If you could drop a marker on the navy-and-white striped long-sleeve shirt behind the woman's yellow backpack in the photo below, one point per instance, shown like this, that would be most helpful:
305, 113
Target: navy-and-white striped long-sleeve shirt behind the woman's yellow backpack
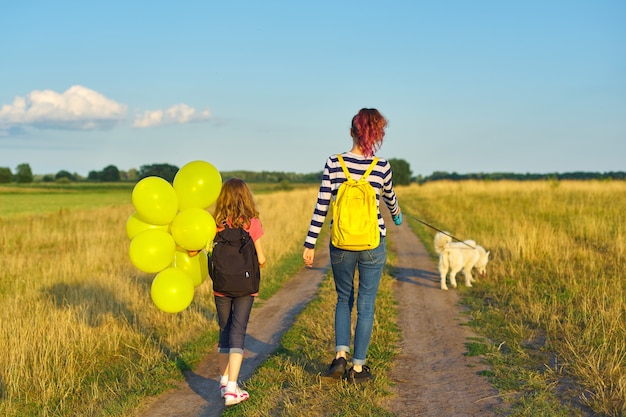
333, 176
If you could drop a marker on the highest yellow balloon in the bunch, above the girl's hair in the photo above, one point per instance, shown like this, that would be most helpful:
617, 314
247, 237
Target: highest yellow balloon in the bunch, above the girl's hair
197, 184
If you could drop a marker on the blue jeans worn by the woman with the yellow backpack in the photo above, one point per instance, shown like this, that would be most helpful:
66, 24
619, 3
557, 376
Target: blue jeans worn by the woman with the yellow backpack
370, 265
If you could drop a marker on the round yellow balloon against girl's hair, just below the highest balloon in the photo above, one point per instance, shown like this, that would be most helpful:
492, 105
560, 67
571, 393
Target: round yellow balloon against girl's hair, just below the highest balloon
193, 228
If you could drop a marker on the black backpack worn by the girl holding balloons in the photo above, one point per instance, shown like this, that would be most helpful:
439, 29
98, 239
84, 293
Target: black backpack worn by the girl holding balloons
233, 263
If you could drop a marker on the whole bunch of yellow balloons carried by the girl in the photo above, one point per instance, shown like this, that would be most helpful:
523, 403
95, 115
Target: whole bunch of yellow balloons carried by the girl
168, 221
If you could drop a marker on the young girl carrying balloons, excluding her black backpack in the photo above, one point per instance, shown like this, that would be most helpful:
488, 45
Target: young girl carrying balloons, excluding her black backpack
235, 205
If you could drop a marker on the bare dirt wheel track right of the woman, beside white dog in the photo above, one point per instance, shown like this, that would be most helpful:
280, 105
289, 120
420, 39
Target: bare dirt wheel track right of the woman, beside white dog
434, 377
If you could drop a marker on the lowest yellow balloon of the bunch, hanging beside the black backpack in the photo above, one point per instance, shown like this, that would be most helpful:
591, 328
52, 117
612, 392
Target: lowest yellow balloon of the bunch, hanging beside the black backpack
172, 290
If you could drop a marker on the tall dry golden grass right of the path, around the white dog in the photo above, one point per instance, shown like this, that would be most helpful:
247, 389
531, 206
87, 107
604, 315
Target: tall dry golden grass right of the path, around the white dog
559, 252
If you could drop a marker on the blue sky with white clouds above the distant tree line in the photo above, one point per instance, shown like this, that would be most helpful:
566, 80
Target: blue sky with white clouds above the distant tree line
467, 86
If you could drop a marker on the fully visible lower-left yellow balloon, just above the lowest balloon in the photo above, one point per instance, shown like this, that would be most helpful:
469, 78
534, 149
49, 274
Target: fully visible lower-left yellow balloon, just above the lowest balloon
152, 250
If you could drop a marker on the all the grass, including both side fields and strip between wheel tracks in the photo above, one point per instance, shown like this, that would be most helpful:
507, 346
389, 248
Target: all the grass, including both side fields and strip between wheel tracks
80, 335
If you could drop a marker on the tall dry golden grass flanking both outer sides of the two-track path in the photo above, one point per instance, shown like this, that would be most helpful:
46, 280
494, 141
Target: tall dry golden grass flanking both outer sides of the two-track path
79, 331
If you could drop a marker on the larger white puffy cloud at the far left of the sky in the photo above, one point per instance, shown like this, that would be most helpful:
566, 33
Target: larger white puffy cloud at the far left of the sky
78, 108
